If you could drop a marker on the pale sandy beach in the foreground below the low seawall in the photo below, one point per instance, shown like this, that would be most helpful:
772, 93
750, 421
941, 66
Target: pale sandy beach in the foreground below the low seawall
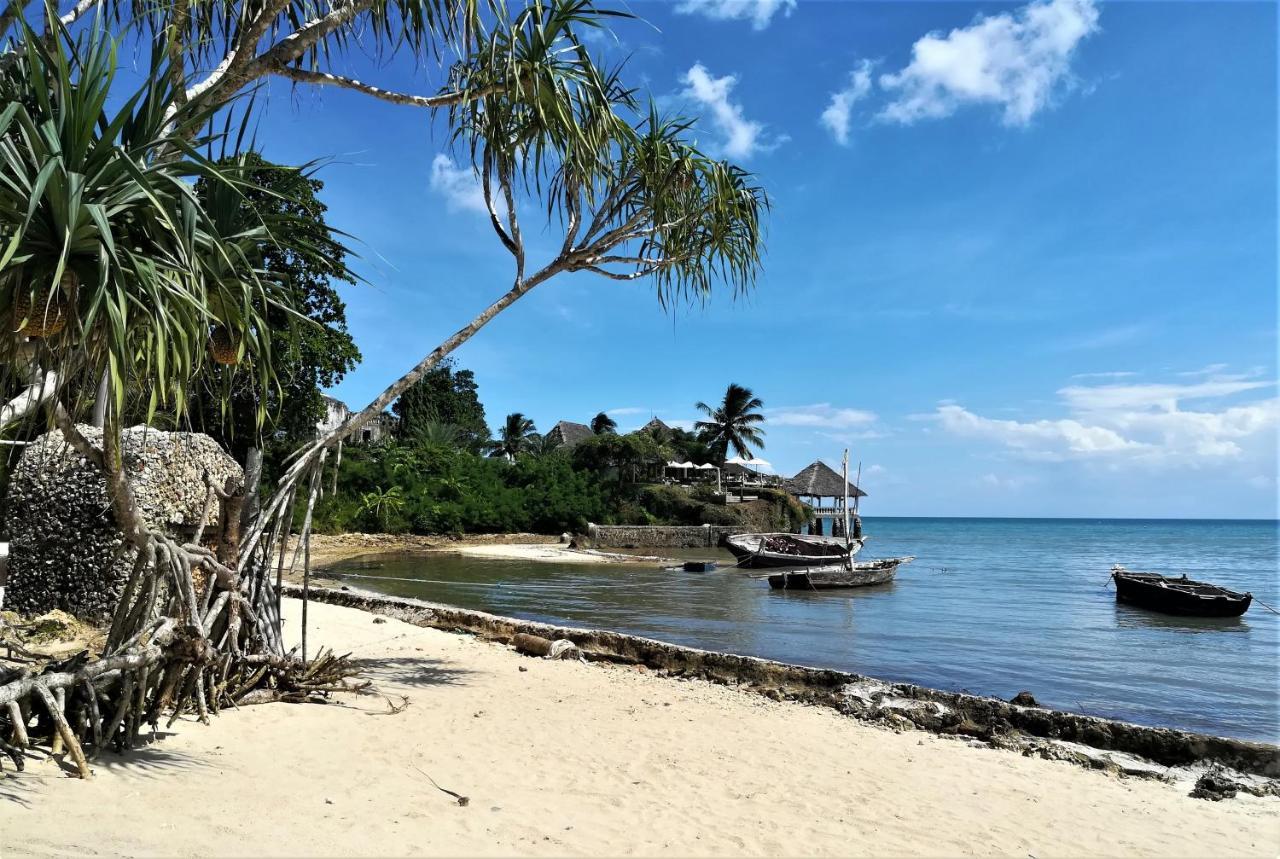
588, 760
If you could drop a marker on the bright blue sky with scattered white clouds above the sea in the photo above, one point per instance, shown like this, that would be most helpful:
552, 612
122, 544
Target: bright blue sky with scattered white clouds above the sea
1021, 259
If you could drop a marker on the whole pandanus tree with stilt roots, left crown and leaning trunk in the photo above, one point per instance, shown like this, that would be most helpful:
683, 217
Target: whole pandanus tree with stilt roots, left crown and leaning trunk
546, 132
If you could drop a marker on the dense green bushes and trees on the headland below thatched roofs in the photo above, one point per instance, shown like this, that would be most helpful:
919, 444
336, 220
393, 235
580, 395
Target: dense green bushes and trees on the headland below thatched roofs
435, 477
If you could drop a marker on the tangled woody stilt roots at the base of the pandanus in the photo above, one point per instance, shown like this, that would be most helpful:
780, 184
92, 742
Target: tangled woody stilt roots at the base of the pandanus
198, 629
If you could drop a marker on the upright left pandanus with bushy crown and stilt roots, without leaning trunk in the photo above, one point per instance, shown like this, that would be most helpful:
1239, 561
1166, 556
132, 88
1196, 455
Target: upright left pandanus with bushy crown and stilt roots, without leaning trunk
117, 276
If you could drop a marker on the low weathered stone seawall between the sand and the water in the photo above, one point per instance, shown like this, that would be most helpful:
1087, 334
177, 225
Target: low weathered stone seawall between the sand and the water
1226, 765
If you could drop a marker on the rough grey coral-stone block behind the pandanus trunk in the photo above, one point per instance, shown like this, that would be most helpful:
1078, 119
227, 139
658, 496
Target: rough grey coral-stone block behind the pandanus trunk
66, 551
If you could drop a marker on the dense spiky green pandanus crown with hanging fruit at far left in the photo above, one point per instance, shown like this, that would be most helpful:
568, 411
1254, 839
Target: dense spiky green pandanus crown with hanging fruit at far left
111, 262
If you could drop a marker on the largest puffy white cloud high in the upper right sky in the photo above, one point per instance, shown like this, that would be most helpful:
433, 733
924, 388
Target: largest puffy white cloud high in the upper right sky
1016, 61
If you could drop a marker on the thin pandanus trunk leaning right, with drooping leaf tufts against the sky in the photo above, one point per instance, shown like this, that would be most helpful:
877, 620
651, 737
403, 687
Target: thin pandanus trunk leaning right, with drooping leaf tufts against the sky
632, 198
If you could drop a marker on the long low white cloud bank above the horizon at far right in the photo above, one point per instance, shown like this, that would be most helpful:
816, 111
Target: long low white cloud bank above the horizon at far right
1149, 424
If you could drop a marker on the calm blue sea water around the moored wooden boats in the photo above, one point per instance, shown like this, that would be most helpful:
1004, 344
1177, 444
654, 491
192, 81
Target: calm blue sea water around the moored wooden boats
990, 606
